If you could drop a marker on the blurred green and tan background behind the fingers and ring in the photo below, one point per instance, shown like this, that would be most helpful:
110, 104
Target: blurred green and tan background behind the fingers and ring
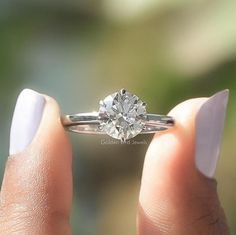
165, 51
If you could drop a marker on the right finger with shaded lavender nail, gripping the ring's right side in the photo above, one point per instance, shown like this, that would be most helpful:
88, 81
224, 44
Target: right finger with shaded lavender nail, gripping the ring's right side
178, 195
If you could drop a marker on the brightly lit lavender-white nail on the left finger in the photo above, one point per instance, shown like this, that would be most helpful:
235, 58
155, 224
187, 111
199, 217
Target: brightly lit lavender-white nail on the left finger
26, 119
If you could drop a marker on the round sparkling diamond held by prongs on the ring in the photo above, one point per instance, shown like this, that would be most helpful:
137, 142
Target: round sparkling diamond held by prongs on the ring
122, 115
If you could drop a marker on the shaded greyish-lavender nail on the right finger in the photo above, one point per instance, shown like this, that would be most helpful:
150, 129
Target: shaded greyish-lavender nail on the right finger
209, 129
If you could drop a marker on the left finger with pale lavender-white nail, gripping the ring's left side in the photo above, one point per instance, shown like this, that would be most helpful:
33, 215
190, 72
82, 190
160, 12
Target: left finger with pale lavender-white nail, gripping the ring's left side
36, 191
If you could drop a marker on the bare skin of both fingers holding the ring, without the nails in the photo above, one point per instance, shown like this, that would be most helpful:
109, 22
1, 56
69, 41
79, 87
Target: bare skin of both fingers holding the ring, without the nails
175, 198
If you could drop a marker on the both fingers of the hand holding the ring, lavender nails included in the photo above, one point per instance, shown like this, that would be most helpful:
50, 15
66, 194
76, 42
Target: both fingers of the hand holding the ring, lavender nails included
178, 194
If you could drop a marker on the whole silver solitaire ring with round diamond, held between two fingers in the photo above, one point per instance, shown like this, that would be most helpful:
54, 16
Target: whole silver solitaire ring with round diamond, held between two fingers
121, 115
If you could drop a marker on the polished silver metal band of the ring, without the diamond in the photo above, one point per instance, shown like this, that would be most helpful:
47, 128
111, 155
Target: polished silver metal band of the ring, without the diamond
89, 123
